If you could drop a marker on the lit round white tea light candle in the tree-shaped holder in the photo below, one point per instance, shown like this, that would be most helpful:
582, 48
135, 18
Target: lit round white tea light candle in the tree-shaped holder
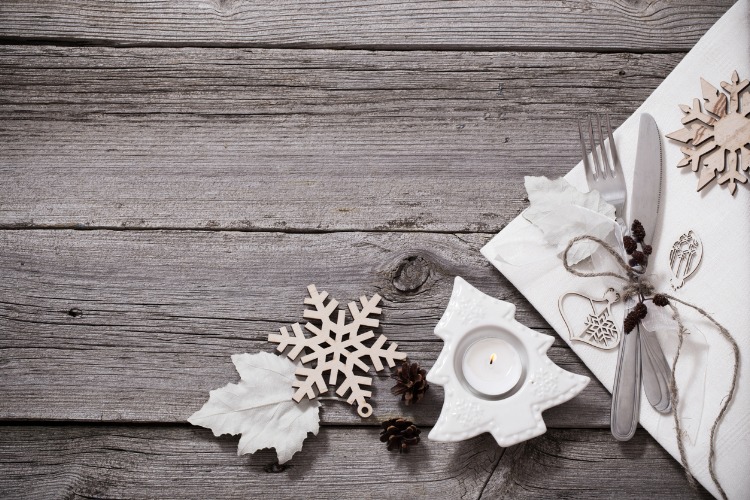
492, 366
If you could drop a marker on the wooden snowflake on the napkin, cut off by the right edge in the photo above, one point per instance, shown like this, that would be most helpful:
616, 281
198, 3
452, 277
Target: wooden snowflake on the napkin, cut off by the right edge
718, 138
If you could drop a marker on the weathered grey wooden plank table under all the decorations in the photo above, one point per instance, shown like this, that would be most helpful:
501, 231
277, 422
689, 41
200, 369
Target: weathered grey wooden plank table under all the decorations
173, 175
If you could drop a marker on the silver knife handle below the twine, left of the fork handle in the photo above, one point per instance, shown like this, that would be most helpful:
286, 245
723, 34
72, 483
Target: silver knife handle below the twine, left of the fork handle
626, 393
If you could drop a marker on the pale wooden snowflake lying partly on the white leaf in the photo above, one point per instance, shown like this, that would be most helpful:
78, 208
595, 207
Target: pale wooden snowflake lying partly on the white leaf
336, 347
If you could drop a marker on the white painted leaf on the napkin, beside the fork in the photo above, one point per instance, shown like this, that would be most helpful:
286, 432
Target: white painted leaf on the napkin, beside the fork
562, 212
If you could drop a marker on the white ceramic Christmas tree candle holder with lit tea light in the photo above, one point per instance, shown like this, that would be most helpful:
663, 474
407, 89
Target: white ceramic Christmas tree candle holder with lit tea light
495, 371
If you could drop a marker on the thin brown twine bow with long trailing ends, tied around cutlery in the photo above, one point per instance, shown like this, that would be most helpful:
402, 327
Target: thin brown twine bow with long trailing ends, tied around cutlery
636, 285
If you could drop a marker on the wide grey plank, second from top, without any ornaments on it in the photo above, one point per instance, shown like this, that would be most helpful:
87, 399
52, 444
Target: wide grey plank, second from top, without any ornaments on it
295, 140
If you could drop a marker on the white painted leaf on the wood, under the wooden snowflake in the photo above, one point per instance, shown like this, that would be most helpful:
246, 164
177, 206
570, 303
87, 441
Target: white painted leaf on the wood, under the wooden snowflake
260, 407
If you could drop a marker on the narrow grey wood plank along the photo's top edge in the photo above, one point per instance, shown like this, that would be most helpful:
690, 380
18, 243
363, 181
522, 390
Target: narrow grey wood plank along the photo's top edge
611, 25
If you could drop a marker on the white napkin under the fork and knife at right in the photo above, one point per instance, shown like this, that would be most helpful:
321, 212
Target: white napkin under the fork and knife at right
721, 284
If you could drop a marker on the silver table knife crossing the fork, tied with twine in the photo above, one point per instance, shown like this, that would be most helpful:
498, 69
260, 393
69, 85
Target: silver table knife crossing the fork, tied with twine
645, 206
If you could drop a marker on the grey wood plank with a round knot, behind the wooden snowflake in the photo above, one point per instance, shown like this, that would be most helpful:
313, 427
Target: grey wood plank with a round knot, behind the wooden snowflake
140, 325
